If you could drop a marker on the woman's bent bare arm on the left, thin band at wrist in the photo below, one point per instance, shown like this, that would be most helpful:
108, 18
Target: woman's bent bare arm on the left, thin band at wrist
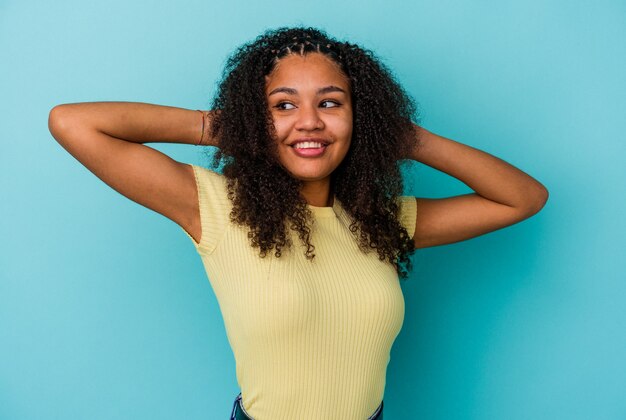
107, 138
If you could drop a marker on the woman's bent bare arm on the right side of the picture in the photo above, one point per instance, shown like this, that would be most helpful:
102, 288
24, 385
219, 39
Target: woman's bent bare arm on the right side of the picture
504, 195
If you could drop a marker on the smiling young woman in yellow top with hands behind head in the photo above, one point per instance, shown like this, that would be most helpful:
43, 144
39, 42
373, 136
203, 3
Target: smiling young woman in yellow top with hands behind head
305, 234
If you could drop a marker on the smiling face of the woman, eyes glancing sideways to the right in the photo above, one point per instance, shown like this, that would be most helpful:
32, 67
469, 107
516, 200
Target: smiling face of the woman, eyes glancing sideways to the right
310, 103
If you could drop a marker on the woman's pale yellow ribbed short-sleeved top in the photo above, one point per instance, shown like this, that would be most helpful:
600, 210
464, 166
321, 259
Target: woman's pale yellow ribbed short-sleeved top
311, 339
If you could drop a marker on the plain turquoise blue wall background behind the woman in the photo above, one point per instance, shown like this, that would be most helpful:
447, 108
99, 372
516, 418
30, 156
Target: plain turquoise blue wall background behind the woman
105, 309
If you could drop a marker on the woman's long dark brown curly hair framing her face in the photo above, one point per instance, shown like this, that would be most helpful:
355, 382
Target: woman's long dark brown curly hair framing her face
265, 197
